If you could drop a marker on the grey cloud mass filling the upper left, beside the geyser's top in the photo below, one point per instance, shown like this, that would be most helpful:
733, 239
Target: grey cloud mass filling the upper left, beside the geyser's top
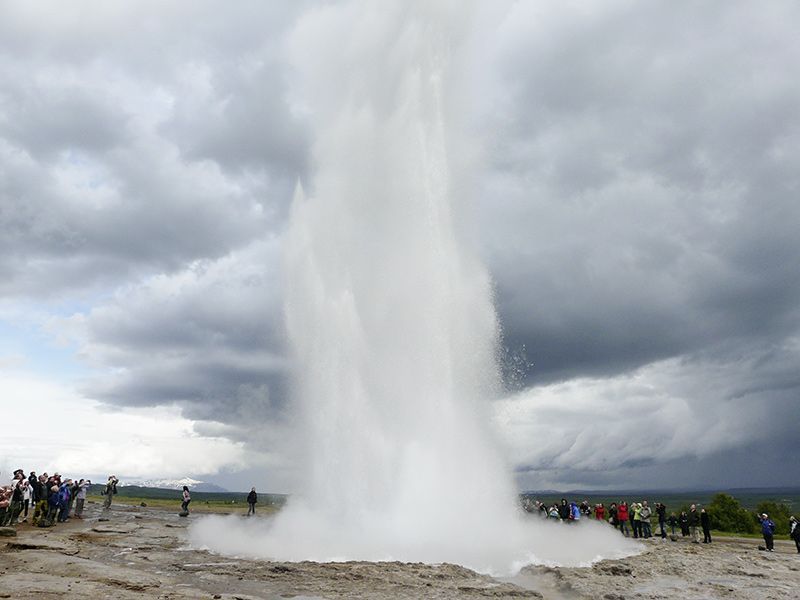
134, 140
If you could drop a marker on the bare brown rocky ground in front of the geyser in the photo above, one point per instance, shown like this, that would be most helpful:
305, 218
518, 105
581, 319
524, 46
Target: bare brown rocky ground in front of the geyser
140, 552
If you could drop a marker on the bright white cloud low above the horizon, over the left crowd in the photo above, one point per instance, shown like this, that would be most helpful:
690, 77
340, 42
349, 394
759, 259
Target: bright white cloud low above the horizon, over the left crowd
55, 429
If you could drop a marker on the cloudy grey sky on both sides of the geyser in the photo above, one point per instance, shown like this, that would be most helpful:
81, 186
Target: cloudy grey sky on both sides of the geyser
637, 201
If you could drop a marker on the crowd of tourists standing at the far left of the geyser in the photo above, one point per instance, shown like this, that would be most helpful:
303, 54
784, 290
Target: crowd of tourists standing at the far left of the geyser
46, 499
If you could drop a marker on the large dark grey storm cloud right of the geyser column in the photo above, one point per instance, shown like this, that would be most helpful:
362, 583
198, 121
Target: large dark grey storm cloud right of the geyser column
643, 171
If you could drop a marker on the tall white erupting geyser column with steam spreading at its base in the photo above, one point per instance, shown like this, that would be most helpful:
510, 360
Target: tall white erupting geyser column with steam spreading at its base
391, 319
